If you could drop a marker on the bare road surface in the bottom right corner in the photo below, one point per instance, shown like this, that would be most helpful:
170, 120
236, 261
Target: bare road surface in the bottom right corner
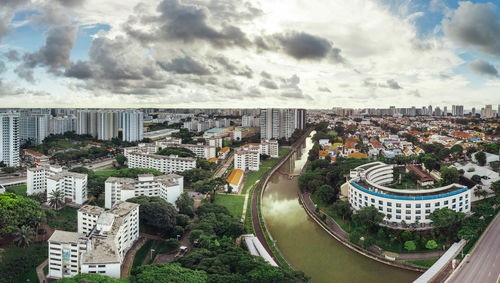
483, 265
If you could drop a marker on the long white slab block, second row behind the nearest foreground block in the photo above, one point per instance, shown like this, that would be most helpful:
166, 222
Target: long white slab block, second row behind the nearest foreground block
138, 157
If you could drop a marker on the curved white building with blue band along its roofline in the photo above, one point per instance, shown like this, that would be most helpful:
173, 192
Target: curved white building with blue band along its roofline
367, 188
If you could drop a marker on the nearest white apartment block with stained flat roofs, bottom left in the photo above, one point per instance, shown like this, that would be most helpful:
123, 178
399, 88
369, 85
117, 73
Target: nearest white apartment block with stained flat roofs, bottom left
99, 246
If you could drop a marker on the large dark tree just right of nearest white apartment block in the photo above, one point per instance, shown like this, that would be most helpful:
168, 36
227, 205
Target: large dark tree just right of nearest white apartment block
156, 212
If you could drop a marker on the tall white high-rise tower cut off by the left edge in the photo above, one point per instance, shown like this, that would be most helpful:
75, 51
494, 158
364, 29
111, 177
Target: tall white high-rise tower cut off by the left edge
9, 138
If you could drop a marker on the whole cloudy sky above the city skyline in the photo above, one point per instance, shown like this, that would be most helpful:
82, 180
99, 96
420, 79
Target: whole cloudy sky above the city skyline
244, 54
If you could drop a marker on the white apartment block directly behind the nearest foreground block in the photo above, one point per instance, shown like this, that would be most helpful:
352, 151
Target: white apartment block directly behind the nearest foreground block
168, 187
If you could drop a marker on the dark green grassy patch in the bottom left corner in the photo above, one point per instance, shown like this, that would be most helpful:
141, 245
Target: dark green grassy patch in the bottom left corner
15, 267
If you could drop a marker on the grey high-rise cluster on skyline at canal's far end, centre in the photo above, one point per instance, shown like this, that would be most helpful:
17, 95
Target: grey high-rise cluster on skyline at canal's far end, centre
281, 123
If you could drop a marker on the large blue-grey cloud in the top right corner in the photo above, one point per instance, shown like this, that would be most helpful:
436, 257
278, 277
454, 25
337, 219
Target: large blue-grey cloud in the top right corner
475, 25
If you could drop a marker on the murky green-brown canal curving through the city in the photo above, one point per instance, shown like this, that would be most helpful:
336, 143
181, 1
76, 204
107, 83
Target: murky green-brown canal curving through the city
306, 245
